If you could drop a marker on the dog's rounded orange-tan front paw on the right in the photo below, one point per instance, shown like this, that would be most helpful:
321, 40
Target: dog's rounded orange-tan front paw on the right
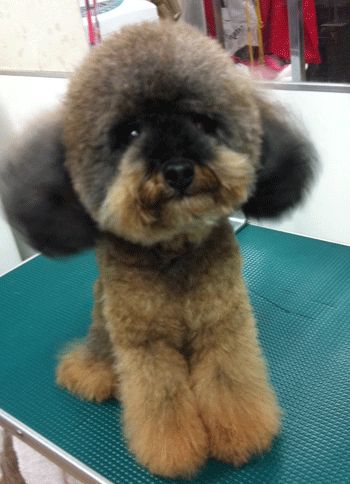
238, 432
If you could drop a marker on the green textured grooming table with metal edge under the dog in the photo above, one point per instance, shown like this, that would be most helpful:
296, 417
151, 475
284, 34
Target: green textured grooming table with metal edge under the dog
300, 291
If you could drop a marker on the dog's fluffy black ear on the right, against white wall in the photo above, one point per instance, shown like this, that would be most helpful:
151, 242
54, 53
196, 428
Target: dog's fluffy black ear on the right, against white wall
287, 165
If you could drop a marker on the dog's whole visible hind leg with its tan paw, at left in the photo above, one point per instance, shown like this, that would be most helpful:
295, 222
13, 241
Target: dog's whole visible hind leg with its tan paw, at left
86, 368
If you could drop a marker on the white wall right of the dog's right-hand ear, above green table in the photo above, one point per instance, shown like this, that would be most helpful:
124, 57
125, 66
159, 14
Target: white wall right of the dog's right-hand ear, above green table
325, 215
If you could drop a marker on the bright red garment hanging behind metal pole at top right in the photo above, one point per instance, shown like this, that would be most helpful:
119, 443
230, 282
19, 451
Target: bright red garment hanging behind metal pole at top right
274, 15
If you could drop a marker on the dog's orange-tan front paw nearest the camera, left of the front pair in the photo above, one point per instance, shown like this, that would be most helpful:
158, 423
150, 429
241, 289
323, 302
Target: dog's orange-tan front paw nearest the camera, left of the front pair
170, 447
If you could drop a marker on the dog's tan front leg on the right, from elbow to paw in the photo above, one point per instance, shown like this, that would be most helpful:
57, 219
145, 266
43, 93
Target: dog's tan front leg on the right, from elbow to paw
236, 402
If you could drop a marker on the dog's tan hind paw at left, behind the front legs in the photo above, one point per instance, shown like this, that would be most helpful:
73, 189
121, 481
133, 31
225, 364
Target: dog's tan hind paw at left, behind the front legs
85, 376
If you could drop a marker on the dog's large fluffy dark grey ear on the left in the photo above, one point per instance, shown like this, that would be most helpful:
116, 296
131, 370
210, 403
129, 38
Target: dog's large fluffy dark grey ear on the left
38, 195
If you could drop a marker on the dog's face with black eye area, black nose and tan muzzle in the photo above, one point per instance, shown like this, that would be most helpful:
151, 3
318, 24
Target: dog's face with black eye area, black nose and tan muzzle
170, 174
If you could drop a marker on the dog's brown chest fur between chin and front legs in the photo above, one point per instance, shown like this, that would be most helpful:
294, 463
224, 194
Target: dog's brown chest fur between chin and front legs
150, 293
